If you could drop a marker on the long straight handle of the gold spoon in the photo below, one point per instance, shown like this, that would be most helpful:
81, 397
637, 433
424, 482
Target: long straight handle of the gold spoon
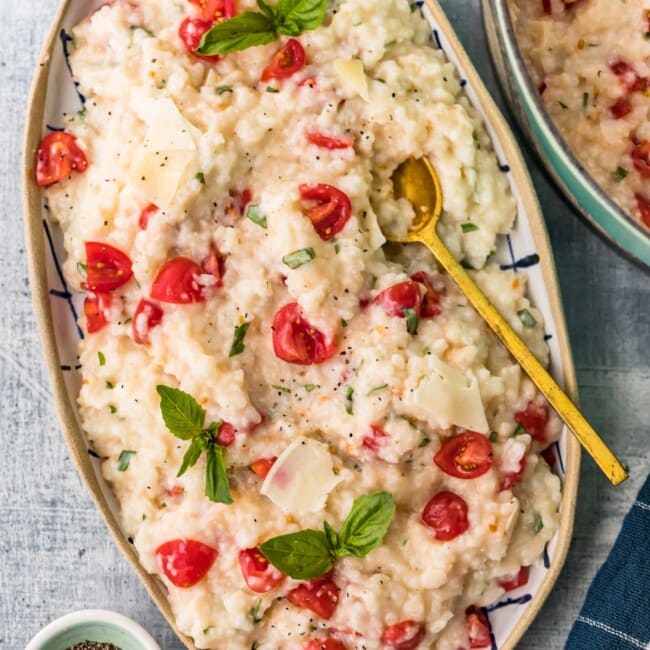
560, 401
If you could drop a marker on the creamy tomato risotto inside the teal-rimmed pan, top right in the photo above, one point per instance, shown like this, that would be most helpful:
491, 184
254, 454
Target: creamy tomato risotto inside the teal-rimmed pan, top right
591, 62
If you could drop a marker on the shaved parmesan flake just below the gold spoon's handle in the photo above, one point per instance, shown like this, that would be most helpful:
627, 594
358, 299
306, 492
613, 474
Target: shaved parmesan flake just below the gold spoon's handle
448, 397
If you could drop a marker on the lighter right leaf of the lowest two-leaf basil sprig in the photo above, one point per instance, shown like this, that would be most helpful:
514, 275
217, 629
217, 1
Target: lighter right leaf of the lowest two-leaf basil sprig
366, 525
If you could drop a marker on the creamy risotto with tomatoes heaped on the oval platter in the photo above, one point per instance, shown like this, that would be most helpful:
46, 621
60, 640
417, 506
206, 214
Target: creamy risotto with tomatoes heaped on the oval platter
225, 218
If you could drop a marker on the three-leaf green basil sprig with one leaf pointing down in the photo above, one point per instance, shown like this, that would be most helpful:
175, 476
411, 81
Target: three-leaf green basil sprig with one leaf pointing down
185, 418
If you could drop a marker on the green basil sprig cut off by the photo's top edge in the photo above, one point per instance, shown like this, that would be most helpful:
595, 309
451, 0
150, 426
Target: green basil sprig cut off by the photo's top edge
290, 17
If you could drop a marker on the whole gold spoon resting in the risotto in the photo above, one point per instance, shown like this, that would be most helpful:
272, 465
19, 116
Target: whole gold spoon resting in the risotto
417, 181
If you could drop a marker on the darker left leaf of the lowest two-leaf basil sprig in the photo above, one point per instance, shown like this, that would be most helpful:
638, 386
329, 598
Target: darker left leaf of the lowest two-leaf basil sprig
303, 555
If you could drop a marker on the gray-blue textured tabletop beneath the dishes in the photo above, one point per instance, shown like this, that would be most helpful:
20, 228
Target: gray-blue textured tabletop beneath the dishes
56, 553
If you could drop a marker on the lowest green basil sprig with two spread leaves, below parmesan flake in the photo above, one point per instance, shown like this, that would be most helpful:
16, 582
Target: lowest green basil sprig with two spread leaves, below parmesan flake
310, 553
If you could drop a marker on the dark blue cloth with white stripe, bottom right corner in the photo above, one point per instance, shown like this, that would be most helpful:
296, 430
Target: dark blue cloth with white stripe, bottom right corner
616, 611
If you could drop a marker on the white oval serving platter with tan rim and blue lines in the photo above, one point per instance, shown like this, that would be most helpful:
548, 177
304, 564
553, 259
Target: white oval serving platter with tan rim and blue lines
525, 250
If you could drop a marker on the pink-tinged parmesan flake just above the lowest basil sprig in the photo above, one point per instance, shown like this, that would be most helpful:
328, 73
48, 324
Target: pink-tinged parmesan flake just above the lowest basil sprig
301, 477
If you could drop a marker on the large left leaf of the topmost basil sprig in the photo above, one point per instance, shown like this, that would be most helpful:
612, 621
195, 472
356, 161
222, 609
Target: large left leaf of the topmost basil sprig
239, 33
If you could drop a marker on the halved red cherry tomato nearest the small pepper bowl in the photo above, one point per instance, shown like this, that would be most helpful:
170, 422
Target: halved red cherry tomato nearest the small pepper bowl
185, 561
